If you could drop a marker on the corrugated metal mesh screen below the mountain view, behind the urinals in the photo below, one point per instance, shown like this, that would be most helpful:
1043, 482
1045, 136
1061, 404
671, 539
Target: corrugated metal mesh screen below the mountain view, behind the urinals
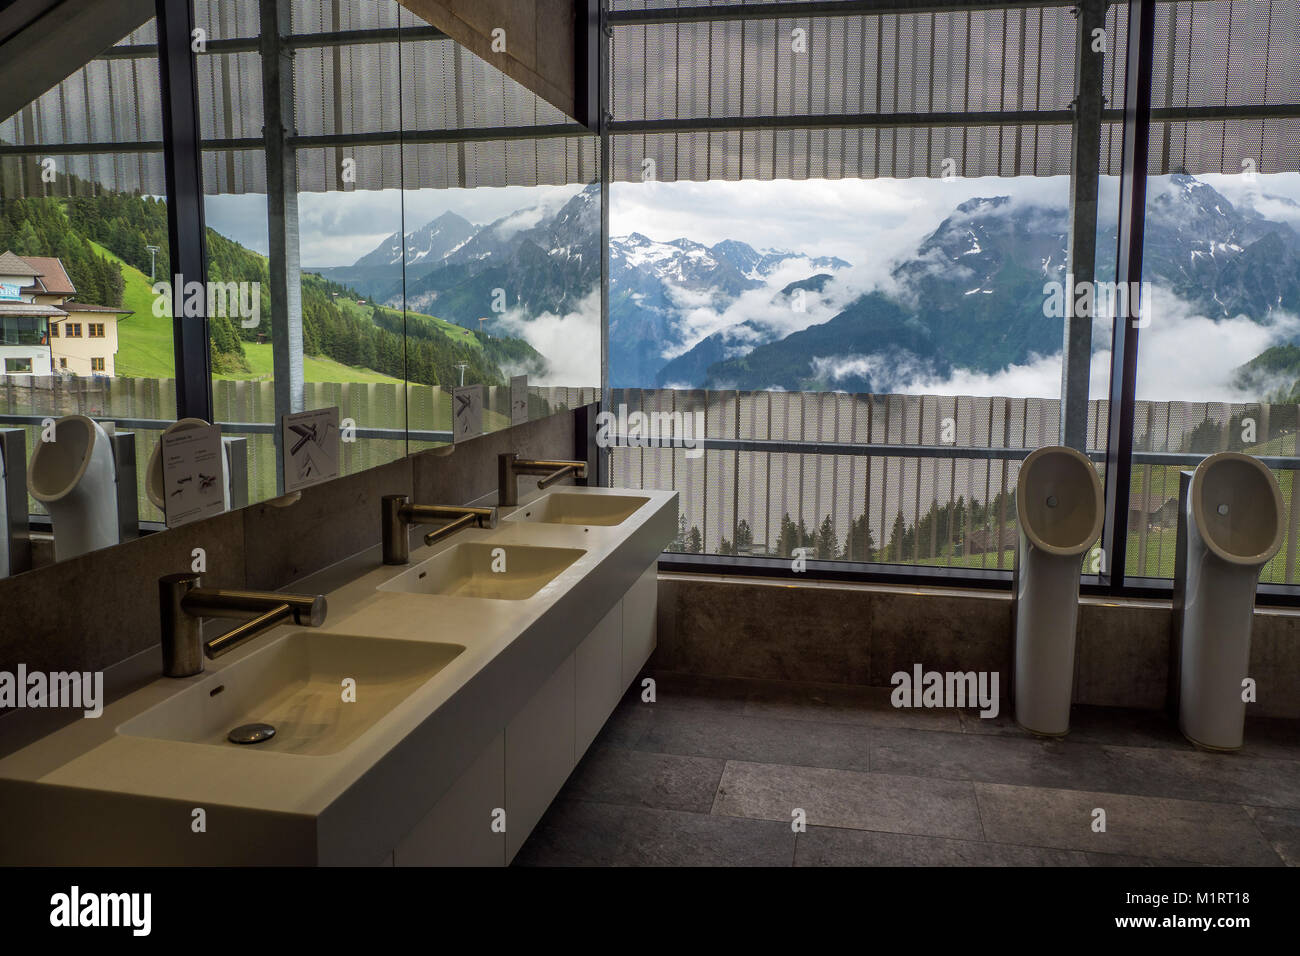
938, 487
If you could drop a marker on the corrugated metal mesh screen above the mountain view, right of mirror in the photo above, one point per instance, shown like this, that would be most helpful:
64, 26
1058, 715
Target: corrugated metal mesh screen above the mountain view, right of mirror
876, 93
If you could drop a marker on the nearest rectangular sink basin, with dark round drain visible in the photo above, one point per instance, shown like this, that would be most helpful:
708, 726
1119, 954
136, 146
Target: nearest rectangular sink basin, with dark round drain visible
297, 686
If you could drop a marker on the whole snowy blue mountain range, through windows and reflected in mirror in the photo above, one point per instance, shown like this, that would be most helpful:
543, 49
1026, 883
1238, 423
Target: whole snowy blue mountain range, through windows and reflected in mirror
969, 297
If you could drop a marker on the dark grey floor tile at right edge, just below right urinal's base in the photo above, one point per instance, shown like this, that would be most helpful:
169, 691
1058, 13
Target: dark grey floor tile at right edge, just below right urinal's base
1233, 778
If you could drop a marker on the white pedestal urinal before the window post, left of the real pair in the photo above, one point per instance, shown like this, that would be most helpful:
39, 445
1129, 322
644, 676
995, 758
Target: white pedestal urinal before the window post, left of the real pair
1060, 511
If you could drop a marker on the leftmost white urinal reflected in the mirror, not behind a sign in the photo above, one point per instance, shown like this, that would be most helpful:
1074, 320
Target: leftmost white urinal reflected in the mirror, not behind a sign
76, 479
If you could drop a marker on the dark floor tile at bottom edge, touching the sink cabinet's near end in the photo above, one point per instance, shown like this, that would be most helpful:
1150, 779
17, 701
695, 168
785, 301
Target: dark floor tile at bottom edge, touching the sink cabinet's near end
590, 834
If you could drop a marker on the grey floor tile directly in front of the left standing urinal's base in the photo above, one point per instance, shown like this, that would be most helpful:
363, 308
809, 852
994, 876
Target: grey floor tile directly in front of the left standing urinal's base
1025, 762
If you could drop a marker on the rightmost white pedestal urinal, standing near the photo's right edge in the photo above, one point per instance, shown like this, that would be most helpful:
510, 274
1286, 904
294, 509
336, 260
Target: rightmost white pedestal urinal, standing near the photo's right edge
1233, 526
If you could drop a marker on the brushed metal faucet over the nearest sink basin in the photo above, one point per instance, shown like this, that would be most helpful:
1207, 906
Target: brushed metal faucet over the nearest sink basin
184, 604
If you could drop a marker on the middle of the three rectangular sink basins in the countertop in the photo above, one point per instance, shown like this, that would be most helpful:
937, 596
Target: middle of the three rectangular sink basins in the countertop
505, 573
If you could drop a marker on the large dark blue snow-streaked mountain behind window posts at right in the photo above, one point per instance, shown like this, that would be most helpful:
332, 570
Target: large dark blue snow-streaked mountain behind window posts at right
972, 297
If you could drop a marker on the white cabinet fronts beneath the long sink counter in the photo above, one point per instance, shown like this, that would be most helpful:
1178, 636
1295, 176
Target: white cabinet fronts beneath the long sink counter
527, 765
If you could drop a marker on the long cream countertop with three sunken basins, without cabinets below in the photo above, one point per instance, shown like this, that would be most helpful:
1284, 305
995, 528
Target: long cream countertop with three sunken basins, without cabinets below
439, 672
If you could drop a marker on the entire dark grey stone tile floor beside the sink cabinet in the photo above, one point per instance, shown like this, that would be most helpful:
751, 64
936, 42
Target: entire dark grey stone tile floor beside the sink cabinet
712, 772
